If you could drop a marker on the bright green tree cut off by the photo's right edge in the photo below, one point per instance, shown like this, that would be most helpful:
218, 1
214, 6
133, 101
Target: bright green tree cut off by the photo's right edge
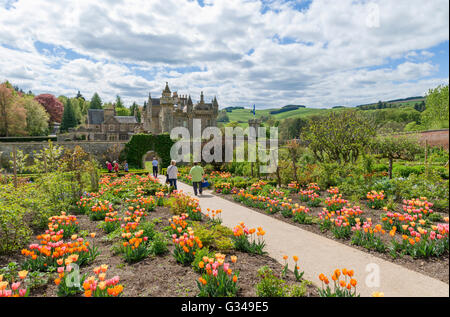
436, 114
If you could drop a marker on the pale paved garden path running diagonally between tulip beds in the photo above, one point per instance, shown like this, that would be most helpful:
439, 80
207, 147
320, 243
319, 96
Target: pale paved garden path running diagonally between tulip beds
318, 254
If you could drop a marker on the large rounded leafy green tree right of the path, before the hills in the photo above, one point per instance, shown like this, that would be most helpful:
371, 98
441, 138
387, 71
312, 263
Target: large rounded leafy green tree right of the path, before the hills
339, 136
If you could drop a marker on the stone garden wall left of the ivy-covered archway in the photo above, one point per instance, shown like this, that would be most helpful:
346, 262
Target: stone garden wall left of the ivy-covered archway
96, 148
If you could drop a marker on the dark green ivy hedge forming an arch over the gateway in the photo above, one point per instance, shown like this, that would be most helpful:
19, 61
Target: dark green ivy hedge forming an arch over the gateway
142, 143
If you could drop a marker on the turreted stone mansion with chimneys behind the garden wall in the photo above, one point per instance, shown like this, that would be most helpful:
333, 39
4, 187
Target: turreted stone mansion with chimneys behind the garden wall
159, 115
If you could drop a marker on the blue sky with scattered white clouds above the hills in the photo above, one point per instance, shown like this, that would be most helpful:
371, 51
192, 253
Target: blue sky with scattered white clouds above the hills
270, 53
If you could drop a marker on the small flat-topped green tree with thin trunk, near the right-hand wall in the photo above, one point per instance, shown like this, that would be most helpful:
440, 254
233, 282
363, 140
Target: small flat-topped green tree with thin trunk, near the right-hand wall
396, 147
